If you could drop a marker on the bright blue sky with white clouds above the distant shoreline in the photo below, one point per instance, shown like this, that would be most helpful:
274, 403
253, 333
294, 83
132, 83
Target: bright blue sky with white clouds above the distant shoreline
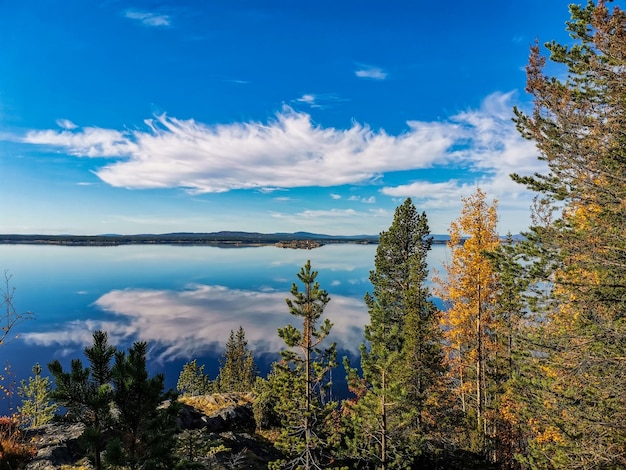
322, 116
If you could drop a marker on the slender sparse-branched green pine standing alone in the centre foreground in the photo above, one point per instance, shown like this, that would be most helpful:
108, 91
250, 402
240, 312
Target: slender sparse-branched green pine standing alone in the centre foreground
302, 389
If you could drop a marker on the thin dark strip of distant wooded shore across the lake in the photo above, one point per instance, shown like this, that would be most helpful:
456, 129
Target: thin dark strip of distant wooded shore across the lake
224, 239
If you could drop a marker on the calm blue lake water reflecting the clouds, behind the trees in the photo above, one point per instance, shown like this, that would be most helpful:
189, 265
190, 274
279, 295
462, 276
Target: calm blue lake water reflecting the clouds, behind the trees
182, 300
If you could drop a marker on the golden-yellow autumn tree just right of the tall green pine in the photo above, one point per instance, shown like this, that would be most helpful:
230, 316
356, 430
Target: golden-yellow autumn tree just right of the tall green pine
470, 327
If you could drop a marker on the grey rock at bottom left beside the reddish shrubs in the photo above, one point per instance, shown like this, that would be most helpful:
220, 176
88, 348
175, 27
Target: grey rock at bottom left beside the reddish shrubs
57, 445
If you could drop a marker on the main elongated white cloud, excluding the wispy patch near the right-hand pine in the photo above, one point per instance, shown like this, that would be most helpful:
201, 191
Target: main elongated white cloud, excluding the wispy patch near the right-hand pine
287, 152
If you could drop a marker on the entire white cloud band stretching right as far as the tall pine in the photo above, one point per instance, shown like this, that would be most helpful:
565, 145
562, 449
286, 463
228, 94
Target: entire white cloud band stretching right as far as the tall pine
290, 152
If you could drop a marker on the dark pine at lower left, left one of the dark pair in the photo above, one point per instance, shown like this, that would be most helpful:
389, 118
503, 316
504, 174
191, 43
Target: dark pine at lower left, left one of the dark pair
86, 392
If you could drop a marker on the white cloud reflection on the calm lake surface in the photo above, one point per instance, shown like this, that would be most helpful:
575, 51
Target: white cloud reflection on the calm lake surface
181, 321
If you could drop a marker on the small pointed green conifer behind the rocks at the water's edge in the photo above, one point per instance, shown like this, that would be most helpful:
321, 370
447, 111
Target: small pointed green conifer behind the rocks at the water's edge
237, 368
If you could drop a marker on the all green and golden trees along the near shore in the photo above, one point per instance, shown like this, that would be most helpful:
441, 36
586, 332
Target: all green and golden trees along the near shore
523, 368
